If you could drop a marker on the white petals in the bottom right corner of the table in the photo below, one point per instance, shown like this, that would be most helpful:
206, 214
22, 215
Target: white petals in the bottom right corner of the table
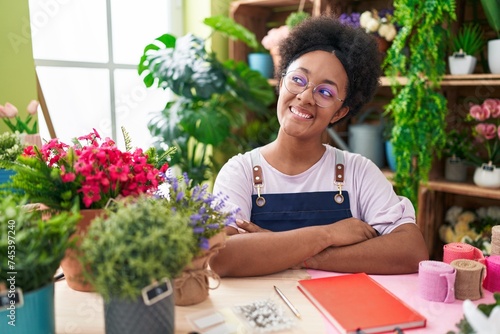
478, 320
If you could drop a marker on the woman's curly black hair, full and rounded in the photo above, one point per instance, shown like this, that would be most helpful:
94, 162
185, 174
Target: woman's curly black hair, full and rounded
357, 51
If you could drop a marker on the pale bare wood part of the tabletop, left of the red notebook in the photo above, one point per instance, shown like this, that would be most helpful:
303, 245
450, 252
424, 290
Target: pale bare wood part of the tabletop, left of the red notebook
82, 312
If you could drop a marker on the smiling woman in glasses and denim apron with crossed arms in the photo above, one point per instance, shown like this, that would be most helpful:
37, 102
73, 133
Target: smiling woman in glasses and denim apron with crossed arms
302, 203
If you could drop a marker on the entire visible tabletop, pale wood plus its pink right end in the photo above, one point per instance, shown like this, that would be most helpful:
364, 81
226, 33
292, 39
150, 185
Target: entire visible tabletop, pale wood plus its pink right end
82, 312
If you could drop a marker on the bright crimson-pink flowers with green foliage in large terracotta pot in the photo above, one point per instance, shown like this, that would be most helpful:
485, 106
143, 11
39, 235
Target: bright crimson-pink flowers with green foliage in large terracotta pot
87, 175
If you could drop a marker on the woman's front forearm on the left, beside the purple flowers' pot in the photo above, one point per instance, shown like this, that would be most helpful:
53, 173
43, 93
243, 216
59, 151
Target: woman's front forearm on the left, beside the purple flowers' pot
254, 254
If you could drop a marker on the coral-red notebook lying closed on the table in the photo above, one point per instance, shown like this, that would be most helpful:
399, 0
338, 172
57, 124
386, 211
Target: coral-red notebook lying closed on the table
356, 302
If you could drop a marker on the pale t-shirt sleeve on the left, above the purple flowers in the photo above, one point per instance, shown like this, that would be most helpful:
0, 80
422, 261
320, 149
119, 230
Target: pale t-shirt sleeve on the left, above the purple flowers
234, 182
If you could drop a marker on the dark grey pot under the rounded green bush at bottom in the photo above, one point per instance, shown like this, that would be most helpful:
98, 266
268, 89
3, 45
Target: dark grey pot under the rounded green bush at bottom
130, 317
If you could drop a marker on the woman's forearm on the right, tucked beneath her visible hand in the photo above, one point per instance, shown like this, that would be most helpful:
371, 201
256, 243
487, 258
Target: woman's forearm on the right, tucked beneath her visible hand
398, 252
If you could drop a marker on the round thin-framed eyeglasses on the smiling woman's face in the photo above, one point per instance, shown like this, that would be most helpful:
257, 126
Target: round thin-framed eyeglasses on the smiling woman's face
324, 95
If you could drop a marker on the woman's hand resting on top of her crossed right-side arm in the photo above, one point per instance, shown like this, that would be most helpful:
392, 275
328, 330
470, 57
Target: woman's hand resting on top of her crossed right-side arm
351, 231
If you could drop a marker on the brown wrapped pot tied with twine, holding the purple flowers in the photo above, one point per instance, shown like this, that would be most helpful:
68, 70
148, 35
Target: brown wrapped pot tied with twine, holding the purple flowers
192, 286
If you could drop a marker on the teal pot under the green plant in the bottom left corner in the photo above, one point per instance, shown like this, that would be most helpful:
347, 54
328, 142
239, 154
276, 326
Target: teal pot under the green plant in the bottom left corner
36, 316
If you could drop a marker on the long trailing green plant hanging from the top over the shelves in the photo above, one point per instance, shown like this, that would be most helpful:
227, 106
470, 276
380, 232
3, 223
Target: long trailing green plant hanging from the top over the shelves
418, 108
